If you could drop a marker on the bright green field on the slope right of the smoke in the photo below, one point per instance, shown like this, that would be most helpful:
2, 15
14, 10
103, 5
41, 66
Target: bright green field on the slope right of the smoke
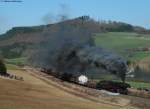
120, 42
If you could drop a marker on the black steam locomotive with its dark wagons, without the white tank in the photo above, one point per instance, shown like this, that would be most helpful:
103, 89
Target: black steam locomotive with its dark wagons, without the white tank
112, 86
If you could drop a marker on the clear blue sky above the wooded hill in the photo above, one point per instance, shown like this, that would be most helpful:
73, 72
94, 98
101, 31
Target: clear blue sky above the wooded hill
32, 12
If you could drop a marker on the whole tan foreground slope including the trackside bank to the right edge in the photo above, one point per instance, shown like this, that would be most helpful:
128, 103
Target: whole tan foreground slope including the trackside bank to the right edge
37, 91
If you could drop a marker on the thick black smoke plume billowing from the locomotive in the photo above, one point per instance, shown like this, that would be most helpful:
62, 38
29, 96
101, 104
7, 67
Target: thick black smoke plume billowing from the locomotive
71, 49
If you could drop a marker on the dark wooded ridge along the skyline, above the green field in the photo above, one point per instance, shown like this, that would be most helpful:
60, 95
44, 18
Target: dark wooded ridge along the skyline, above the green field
21, 40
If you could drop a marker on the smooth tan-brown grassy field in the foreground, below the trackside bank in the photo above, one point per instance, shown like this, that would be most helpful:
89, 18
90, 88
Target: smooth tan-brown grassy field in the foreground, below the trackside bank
33, 93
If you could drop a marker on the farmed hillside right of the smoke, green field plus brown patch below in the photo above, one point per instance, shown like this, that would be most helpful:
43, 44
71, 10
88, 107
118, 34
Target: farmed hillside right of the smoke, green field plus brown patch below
132, 46
